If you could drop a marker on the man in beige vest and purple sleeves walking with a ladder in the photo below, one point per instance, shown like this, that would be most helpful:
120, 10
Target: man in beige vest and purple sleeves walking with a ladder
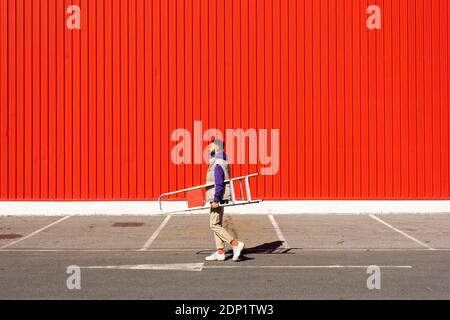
219, 193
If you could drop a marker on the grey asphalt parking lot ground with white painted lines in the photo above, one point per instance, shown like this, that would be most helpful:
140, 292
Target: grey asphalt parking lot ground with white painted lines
286, 257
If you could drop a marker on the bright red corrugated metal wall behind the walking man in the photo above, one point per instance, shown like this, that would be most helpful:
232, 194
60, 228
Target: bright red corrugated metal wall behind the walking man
87, 114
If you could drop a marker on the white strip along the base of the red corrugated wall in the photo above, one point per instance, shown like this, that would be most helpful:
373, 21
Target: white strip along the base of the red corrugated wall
54, 208
